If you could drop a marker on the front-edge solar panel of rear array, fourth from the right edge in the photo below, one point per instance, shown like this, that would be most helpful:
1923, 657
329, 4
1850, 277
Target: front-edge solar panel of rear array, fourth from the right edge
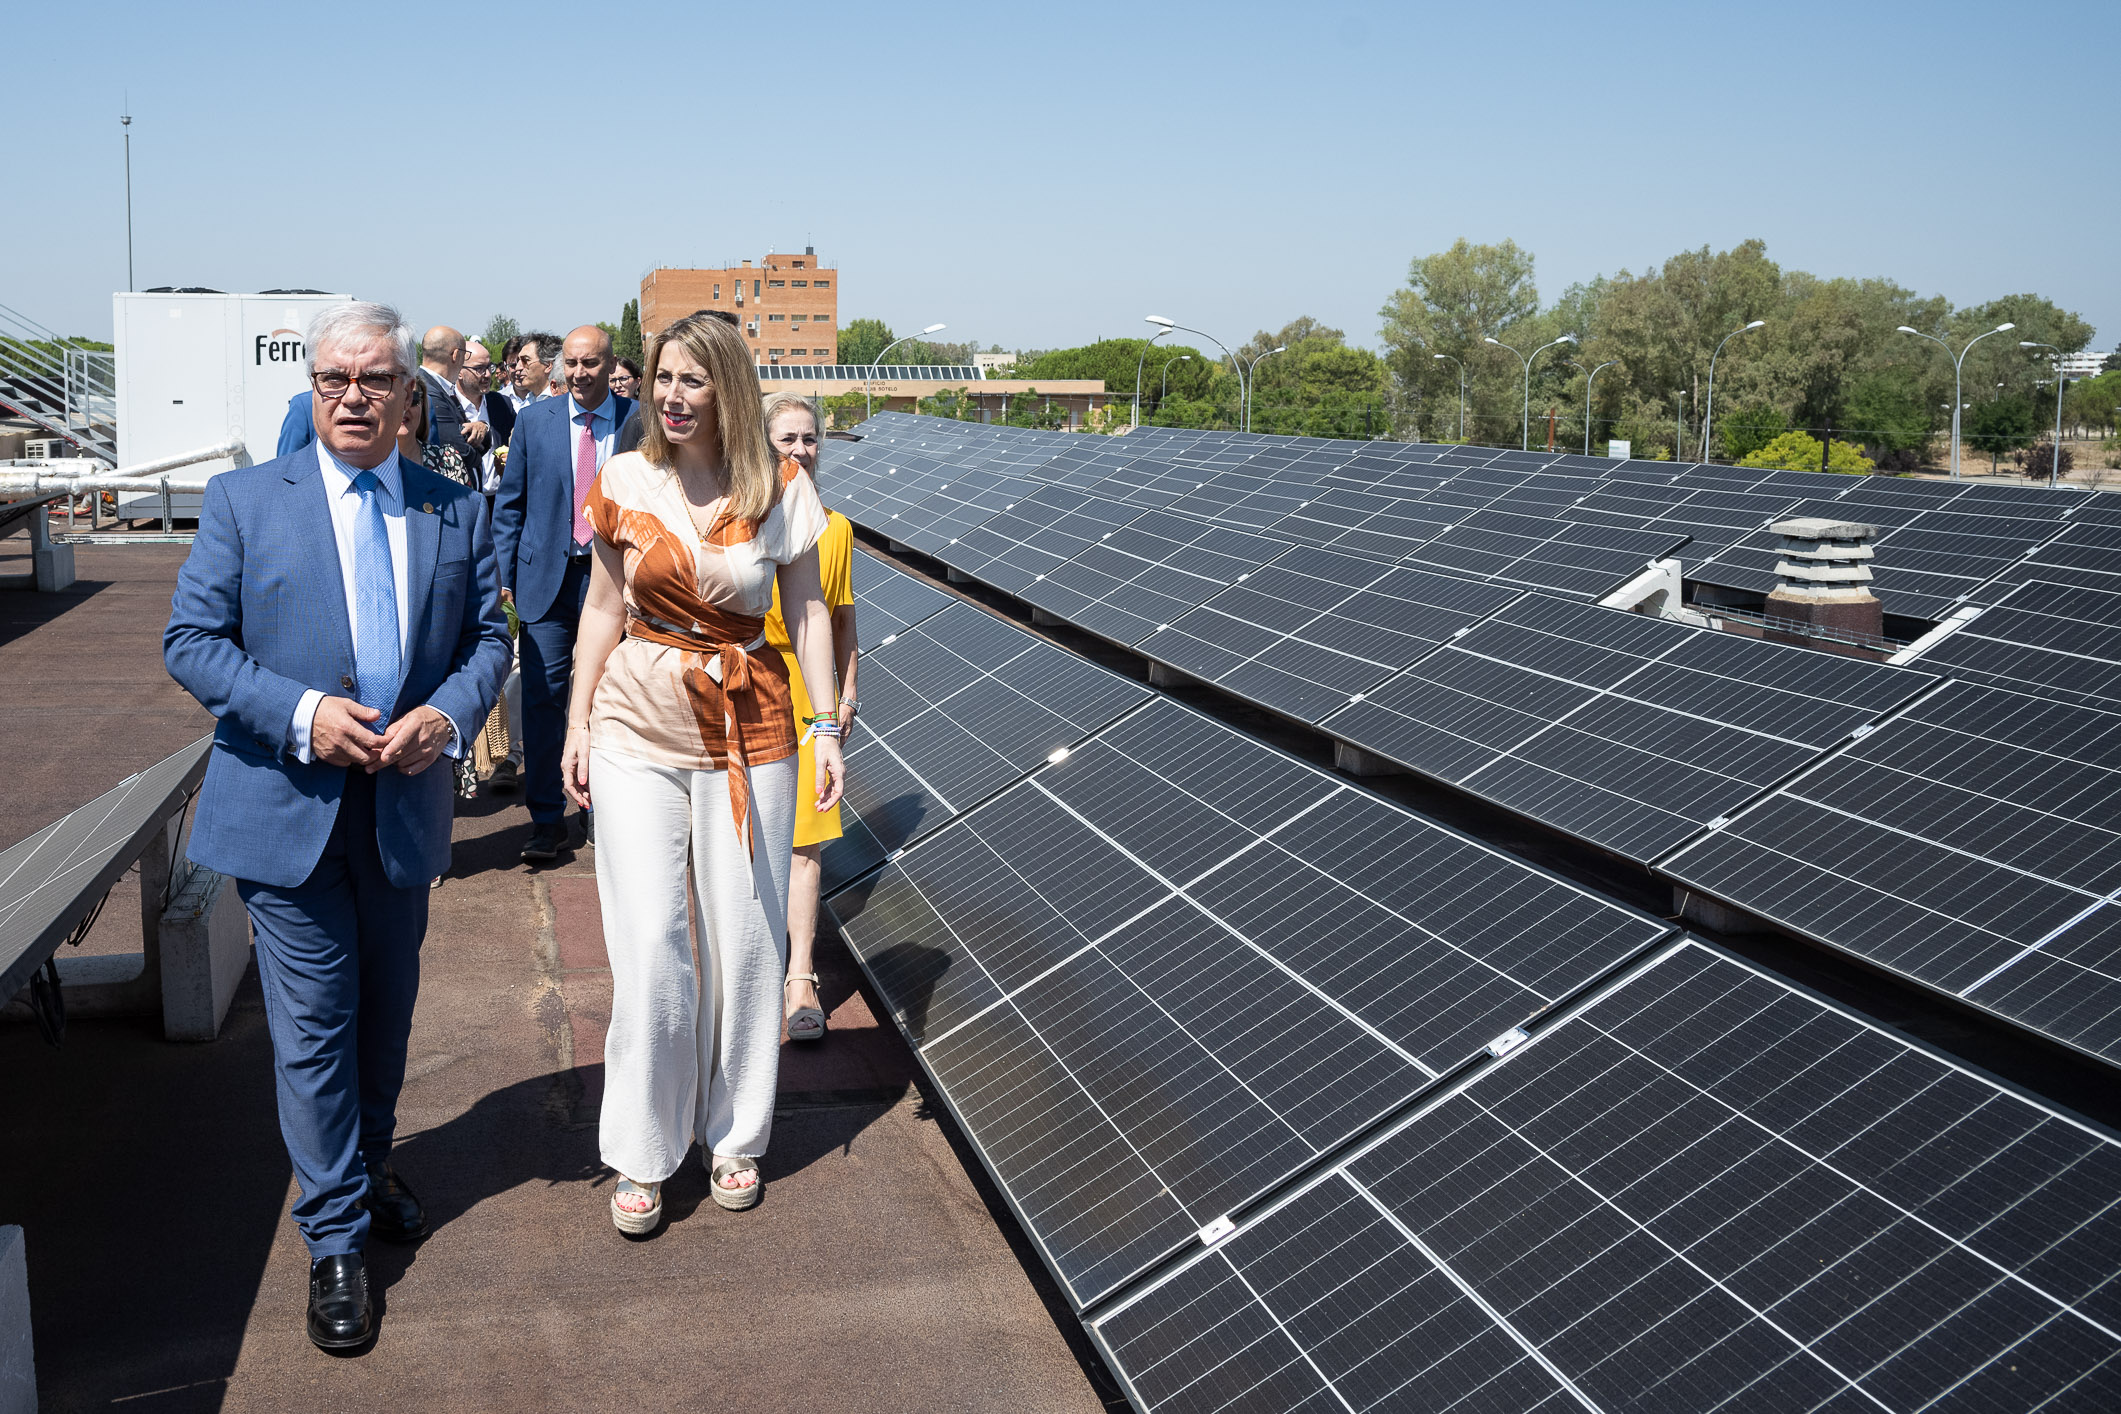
1149, 571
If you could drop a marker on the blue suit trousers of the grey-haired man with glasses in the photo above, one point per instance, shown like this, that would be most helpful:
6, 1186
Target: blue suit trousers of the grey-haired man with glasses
340, 961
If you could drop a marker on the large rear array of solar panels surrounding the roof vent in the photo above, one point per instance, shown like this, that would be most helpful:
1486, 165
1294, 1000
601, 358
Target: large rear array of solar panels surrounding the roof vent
1329, 584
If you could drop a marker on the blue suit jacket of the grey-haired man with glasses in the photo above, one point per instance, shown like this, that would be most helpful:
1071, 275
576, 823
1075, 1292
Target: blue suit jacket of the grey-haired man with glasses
260, 616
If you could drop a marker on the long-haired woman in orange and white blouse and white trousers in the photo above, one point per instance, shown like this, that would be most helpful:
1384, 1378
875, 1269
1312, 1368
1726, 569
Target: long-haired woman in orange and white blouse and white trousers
684, 737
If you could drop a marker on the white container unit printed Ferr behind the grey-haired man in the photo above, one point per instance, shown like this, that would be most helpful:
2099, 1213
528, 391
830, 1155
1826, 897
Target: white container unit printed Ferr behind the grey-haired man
196, 370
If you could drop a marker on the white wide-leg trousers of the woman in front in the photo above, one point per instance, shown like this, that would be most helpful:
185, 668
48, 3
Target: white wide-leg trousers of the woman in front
693, 1053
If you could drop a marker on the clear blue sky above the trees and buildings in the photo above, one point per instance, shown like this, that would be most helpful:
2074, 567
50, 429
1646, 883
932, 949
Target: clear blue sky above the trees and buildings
1049, 175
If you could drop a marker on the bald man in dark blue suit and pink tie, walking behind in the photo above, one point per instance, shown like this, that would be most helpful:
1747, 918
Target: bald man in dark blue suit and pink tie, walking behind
544, 548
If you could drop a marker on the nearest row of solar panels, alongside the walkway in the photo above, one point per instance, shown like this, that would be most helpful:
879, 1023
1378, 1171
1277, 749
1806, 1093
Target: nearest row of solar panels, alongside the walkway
1316, 1106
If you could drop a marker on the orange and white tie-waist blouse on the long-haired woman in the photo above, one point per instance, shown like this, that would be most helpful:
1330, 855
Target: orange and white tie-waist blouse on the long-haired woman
695, 677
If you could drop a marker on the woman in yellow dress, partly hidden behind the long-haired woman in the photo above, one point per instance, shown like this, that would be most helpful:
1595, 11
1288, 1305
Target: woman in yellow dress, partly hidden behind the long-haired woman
794, 434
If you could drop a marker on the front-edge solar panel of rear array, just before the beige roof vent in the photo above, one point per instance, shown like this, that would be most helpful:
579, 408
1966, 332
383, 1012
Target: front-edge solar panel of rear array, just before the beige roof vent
1624, 730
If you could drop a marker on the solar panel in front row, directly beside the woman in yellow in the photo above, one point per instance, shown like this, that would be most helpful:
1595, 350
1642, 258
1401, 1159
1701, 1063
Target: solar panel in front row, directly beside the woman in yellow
951, 713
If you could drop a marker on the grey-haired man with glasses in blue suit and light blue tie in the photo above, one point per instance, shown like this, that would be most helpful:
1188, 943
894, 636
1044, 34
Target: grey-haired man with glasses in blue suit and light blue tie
340, 620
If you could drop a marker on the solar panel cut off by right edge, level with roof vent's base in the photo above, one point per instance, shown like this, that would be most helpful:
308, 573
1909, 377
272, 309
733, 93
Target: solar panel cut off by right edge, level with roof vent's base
2061, 639
